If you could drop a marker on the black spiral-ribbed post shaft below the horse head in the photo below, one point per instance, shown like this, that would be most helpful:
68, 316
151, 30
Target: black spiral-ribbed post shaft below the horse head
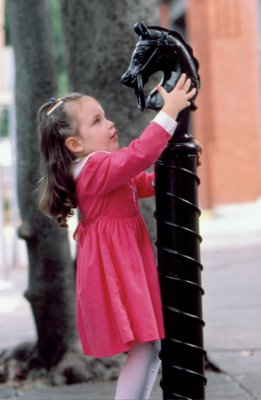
178, 247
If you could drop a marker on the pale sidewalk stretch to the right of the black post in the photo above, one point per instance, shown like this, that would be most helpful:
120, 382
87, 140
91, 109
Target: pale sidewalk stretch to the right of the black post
231, 254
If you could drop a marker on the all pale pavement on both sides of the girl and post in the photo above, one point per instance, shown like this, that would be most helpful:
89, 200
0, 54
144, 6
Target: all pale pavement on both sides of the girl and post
231, 254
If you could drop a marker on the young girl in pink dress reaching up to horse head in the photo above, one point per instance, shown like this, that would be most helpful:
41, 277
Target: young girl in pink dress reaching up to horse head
117, 289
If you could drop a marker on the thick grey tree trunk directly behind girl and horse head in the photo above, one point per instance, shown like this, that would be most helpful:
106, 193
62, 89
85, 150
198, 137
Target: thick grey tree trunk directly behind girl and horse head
99, 41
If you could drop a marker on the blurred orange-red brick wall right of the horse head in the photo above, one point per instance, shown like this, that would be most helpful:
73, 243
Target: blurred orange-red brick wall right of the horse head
224, 37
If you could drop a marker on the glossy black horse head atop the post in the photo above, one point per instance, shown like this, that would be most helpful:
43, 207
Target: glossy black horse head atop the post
159, 49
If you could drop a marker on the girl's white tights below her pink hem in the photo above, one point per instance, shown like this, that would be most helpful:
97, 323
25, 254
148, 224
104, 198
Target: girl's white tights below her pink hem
139, 372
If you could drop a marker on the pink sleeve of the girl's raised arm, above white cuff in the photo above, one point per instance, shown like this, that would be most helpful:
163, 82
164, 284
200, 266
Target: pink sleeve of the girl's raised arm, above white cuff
104, 171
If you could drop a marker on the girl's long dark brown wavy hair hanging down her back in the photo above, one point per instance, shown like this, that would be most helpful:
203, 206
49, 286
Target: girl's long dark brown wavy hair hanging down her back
56, 186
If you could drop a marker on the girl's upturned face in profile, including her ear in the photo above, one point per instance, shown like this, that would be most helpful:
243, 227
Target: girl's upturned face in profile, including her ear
95, 131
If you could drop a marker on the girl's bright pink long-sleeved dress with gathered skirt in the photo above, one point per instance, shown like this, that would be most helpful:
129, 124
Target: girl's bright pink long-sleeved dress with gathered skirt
118, 299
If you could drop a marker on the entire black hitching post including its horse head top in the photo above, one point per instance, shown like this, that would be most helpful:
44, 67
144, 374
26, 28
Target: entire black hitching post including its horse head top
177, 214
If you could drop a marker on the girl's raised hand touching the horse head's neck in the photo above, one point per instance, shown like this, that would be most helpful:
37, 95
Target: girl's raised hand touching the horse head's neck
179, 98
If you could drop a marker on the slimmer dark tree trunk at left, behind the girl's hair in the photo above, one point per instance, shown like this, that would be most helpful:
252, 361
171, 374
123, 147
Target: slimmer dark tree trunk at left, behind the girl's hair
51, 273
